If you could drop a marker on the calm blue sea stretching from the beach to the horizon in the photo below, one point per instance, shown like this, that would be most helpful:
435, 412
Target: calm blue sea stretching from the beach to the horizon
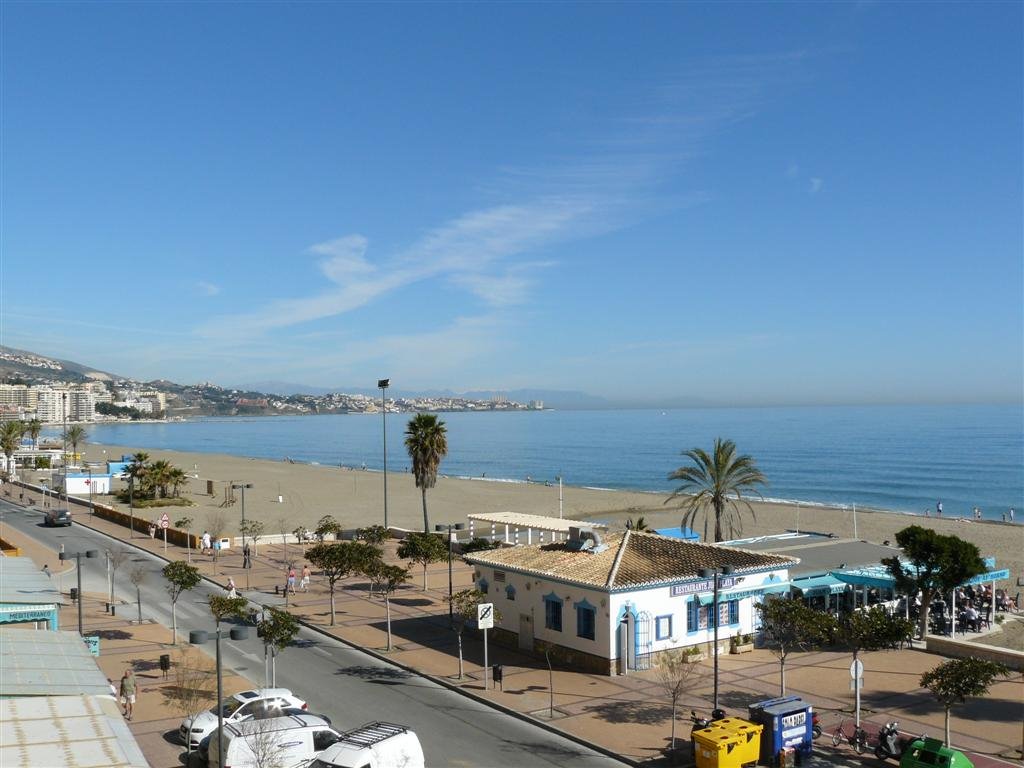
899, 458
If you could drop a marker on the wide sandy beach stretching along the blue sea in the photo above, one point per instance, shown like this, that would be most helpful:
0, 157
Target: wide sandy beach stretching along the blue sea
356, 497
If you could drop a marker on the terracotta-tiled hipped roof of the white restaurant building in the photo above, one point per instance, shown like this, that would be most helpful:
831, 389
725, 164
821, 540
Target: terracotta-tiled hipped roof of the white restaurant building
632, 560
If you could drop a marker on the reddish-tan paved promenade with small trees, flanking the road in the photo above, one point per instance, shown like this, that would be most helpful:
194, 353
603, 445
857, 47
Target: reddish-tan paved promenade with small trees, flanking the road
629, 716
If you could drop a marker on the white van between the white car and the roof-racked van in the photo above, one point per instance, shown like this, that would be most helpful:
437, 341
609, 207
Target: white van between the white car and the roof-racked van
286, 742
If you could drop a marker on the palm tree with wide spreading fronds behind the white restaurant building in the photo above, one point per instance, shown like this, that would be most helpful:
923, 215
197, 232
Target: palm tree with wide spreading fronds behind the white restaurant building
716, 486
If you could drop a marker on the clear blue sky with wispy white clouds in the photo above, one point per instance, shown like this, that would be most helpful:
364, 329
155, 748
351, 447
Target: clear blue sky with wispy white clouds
731, 203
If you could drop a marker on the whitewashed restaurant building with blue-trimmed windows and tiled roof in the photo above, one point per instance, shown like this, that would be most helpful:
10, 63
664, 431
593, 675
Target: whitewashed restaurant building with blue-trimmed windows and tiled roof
612, 603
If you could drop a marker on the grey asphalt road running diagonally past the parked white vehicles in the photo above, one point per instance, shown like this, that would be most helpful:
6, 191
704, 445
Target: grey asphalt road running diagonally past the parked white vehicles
350, 687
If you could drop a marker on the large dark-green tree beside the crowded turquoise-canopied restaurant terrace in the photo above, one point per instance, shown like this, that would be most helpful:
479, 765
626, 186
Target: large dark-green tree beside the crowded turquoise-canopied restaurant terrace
937, 565
